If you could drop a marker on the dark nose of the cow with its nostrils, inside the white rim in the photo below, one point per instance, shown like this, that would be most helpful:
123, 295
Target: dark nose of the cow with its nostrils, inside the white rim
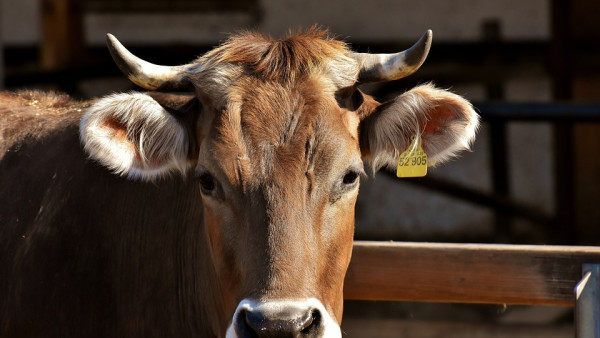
290, 321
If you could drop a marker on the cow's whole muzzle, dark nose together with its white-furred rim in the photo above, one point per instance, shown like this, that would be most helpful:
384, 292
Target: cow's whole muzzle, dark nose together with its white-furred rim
282, 318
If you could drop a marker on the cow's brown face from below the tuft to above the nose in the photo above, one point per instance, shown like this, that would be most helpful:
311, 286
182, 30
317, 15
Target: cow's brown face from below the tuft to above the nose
279, 193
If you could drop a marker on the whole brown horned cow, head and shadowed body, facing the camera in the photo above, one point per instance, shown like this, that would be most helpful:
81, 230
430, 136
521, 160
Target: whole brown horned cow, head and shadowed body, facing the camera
217, 203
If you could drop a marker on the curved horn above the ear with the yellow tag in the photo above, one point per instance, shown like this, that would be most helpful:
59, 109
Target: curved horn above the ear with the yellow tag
387, 67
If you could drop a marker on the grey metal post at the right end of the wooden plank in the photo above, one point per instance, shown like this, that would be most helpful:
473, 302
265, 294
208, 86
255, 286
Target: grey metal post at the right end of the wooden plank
587, 303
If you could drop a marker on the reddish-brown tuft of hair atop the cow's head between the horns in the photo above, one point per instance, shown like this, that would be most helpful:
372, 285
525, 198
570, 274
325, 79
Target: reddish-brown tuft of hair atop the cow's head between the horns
299, 53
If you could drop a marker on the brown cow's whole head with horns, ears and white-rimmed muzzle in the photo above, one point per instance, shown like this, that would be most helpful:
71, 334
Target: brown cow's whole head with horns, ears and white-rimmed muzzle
277, 135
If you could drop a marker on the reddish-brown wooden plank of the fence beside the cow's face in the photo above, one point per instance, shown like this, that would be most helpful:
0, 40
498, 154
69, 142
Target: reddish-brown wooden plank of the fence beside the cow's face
466, 273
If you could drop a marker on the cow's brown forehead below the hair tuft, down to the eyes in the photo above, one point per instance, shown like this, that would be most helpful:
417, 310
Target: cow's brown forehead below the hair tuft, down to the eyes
267, 129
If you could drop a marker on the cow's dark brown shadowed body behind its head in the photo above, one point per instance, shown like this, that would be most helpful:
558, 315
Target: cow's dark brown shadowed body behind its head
84, 252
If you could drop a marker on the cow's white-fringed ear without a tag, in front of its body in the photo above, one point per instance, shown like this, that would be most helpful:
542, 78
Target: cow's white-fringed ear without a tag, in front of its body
140, 135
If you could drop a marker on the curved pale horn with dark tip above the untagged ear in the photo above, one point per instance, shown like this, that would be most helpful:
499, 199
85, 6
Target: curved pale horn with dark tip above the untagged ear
145, 74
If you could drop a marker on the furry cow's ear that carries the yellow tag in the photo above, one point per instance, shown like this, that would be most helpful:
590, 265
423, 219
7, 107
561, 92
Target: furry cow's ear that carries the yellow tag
445, 122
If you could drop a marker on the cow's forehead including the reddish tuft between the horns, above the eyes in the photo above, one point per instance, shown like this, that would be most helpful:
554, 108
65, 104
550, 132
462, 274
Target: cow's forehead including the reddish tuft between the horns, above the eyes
274, 103
